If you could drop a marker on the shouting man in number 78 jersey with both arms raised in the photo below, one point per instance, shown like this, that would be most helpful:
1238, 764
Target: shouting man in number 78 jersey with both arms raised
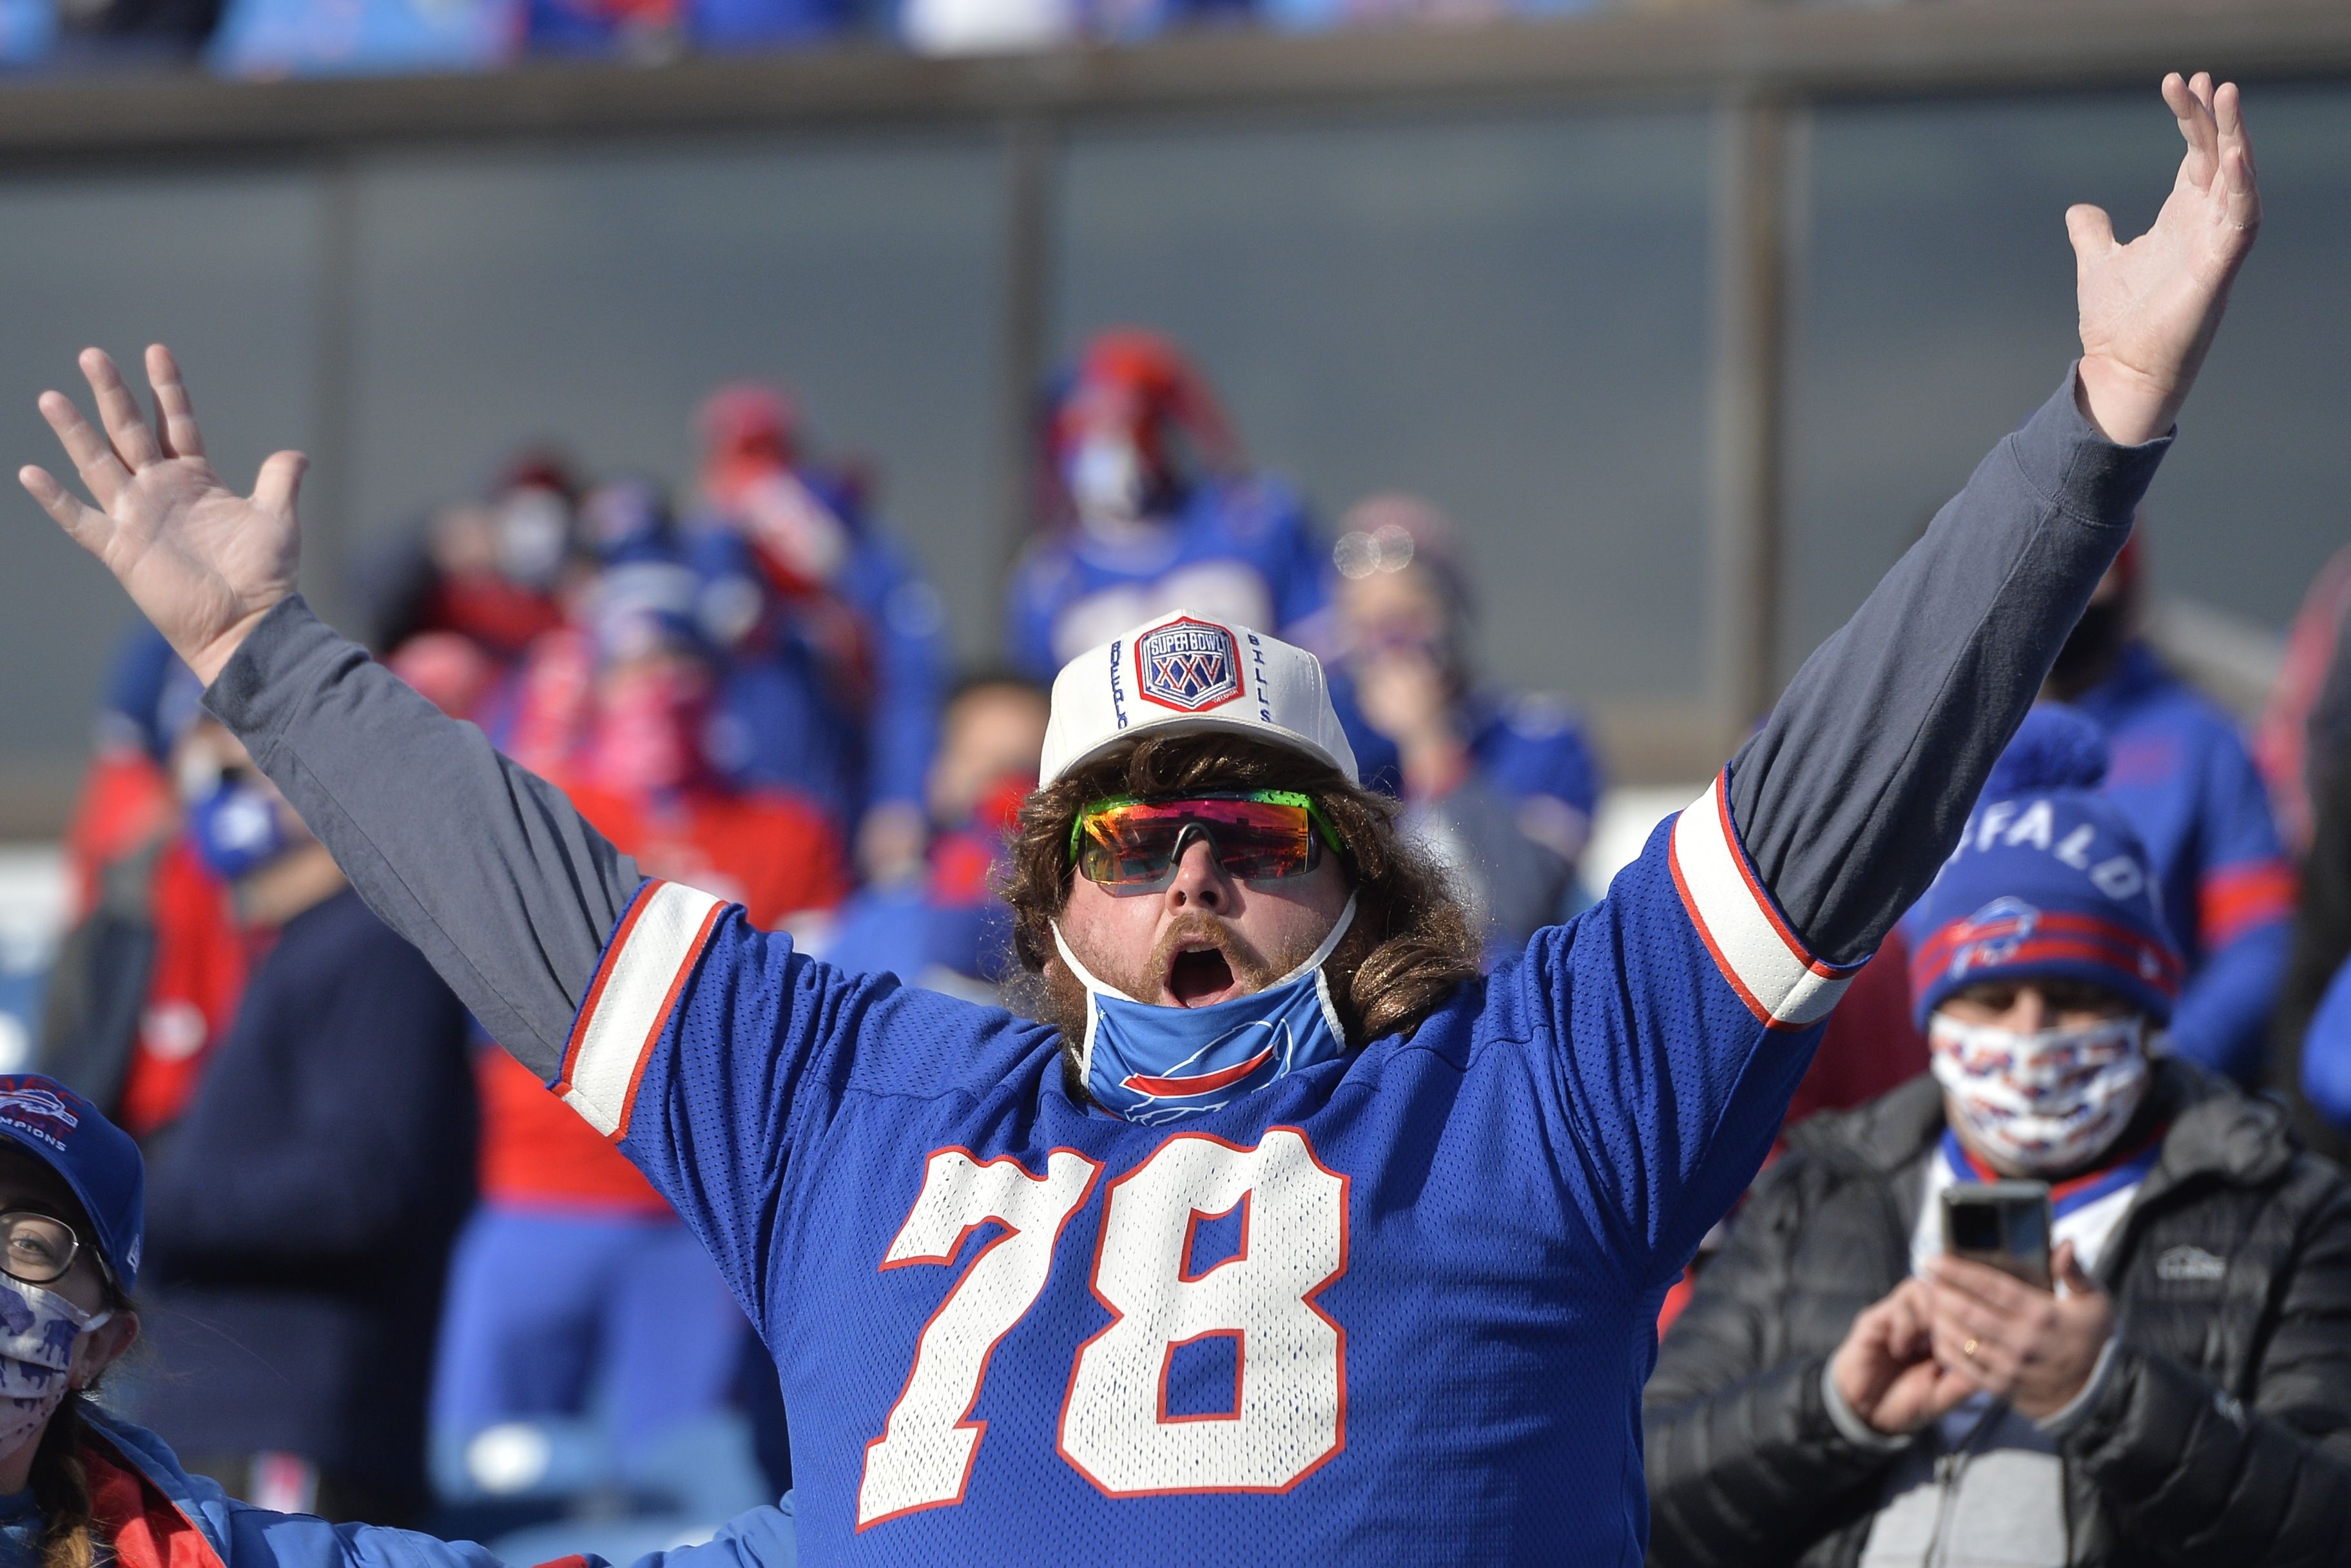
1285, 1235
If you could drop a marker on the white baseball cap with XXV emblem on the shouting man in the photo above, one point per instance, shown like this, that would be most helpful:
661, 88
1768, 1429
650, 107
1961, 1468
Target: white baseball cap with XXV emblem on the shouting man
1184, 676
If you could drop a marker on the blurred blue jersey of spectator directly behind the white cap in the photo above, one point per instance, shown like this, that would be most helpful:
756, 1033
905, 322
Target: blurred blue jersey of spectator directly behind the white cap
1238, 551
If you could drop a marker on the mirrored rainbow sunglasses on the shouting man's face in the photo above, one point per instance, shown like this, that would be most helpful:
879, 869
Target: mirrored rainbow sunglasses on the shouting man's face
1259, 836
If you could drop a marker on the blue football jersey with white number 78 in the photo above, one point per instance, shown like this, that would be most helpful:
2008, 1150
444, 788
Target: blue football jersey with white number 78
1395, 1308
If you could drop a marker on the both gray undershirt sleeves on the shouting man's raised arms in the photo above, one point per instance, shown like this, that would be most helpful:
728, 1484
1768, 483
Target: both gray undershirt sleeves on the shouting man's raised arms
1847, 800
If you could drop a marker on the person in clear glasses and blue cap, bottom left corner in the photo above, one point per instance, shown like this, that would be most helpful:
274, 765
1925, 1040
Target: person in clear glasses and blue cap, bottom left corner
83, 1487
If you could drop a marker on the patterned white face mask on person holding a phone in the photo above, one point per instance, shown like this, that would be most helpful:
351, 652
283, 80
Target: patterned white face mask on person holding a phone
2047, 1101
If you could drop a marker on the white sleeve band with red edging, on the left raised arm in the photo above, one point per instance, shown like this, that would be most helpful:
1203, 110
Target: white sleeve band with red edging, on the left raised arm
631, 998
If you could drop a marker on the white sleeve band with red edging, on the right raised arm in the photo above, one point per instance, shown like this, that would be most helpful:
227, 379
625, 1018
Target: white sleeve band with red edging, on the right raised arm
1755, 949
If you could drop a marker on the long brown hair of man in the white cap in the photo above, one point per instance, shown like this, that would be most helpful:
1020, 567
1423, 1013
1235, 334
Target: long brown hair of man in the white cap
1412, 942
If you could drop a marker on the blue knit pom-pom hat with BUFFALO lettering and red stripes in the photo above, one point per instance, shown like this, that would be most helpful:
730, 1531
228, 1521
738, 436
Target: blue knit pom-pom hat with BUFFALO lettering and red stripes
2049, 883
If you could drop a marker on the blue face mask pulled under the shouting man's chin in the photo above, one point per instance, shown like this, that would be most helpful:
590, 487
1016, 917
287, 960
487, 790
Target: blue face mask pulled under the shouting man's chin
1165, 1064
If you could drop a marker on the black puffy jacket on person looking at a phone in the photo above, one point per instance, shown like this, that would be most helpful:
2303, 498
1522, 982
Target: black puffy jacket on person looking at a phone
2223, 1435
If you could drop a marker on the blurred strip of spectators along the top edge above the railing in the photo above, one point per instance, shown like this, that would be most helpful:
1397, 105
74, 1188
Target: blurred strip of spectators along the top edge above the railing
283, 39
